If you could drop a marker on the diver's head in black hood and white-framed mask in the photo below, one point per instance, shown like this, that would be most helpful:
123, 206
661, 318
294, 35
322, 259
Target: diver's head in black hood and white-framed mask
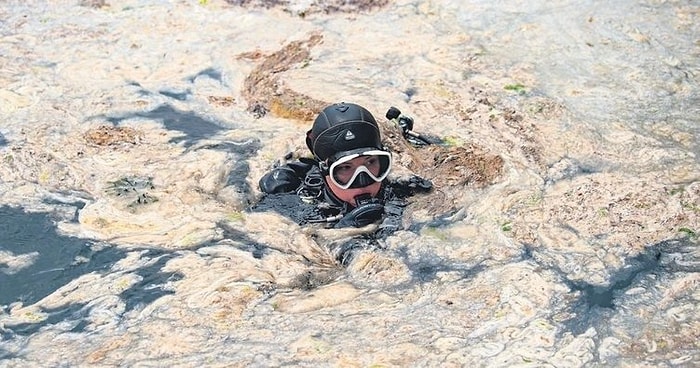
345, 139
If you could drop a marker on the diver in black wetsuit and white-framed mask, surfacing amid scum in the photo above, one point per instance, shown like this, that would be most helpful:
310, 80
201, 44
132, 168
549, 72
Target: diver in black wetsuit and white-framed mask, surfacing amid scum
346, 183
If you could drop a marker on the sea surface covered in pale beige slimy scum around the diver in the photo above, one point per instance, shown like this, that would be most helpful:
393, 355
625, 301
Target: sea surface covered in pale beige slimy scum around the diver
130, 154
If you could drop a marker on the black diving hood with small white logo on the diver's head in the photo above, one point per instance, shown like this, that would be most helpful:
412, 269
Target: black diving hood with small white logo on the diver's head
342, 127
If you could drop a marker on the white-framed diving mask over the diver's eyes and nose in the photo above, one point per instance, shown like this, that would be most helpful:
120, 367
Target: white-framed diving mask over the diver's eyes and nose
376, 164
